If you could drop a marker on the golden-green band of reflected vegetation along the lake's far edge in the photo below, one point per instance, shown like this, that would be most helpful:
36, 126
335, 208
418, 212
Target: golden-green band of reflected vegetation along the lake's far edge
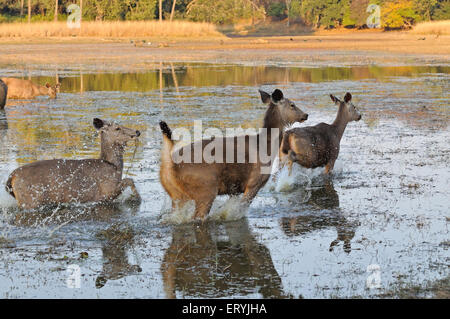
201, 75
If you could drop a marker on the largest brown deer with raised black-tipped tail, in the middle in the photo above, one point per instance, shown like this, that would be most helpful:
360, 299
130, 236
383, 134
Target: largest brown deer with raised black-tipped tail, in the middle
203, 181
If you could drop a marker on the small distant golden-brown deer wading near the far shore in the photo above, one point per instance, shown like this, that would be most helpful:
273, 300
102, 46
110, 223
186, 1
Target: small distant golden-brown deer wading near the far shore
25, 89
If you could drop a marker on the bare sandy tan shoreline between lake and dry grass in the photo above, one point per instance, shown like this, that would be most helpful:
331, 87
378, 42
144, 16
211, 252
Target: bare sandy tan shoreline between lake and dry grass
345, 50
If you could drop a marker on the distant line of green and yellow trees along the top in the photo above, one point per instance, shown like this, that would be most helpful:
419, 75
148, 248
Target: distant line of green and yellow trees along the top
314, 13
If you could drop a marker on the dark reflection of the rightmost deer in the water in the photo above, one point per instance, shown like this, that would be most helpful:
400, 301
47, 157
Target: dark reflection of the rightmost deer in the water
325, 213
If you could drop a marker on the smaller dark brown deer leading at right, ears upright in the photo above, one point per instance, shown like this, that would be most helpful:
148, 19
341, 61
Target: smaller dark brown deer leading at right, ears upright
318, 146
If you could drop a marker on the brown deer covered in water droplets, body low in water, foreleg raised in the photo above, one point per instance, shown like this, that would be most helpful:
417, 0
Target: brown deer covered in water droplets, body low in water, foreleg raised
52, 182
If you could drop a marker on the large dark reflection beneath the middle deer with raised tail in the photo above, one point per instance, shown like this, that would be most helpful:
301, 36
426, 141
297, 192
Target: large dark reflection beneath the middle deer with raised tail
218, 260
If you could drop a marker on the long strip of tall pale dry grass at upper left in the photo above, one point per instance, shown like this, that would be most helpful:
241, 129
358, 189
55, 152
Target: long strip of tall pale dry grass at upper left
116, 29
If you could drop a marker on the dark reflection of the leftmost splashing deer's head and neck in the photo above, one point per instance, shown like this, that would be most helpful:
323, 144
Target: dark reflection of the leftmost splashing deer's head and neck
117, 240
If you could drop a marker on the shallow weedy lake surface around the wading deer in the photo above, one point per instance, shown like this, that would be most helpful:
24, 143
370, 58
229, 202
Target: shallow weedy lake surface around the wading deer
383, 219
